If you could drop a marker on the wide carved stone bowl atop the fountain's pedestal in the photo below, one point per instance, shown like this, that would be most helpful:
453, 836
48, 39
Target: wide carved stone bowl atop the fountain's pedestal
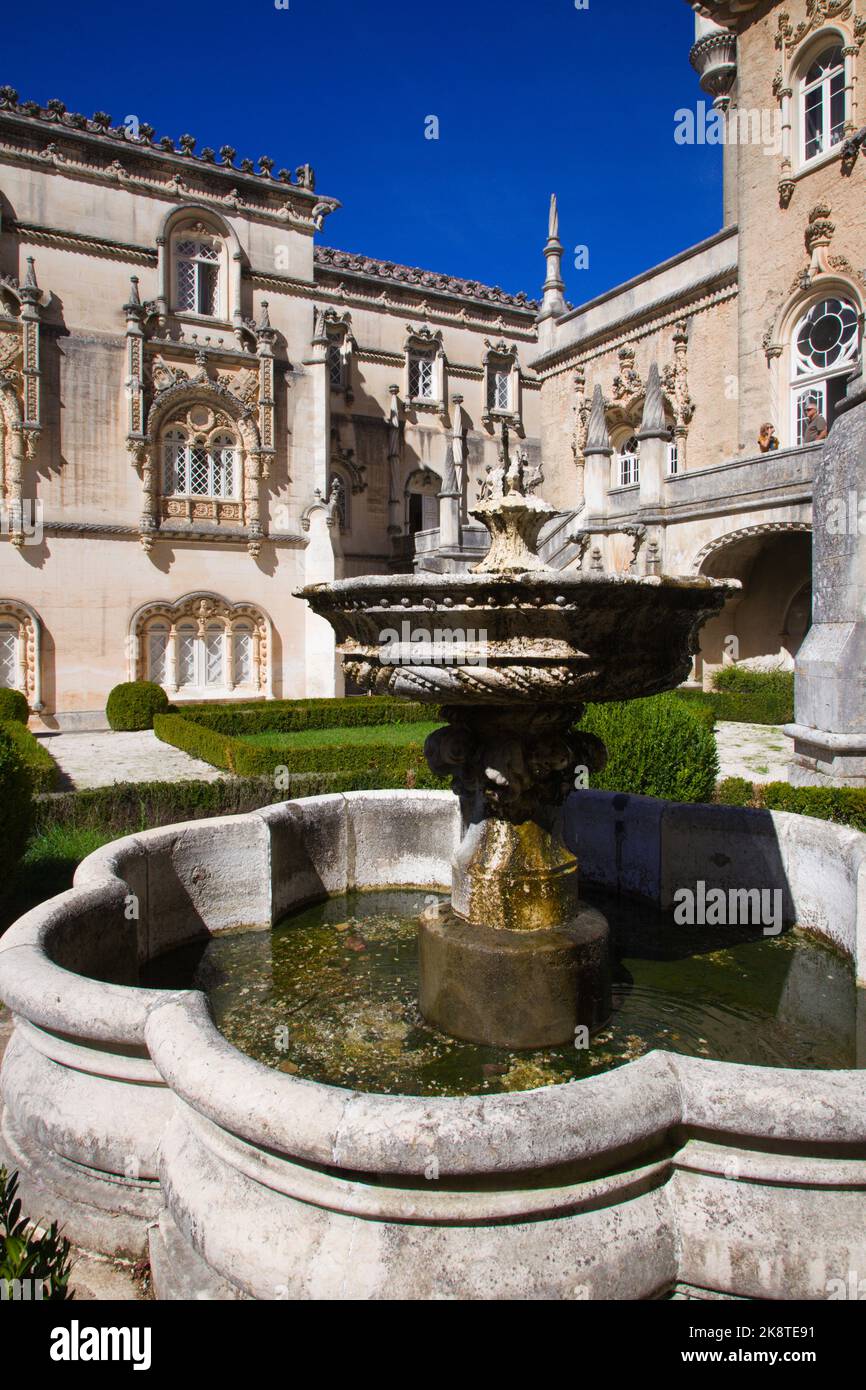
544, 637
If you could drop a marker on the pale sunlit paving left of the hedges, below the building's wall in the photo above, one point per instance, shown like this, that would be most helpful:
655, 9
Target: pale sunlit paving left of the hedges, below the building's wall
99, 760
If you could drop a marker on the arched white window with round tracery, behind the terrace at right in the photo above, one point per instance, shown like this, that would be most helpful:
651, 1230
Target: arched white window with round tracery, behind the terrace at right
824, 351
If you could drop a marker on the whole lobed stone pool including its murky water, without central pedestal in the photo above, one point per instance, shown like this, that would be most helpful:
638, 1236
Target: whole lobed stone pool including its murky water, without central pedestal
137, 1124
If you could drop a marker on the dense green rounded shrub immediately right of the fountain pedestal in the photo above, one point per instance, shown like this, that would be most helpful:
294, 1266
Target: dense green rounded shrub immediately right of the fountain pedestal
657, 747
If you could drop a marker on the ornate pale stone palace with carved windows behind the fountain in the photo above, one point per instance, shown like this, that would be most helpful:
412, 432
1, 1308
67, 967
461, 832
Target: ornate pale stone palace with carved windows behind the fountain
204, 409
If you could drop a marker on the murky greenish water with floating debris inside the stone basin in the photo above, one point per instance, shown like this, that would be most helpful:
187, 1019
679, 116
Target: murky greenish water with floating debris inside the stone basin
332, 995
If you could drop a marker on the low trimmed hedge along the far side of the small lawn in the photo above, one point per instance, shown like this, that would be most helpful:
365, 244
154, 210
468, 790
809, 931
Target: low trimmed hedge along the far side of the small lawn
291, 717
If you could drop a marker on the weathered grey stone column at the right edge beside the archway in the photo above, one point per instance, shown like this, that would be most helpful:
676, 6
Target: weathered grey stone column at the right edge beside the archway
831, 694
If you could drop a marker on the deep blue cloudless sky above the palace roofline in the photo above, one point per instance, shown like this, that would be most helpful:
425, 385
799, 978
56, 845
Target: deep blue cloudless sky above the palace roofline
532, 98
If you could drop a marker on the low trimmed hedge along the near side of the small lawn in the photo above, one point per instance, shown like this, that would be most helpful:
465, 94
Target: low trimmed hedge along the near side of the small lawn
379, 765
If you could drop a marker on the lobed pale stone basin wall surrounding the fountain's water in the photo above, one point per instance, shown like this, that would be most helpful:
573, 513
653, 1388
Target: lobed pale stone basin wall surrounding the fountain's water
127, 1110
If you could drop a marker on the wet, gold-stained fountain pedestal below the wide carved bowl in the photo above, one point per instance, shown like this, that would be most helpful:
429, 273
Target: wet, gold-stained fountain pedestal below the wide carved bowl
516, 961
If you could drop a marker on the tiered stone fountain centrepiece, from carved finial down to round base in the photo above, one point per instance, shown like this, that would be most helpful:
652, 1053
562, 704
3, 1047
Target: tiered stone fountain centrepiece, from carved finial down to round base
512, 653
